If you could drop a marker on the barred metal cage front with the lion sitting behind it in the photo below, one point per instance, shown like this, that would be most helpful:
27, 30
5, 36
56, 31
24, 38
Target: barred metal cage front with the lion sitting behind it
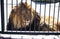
29, 16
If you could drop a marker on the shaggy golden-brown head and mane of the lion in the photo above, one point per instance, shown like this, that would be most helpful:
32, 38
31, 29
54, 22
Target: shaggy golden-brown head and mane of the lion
22, 15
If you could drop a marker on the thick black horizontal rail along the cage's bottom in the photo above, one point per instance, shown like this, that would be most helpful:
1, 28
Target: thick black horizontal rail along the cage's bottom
30, 33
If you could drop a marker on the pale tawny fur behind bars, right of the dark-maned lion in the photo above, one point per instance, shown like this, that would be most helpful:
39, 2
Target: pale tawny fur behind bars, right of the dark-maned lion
49, 23
